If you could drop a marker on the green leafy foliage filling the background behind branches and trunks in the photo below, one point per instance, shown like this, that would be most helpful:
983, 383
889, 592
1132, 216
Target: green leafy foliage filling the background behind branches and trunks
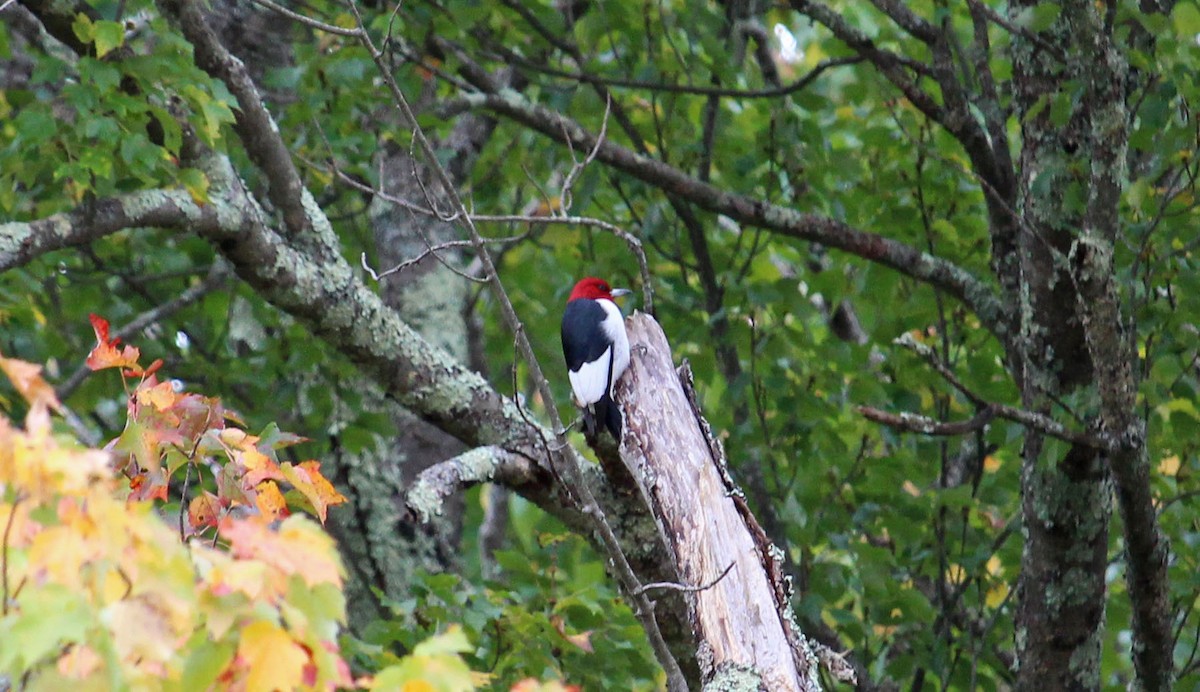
913, 570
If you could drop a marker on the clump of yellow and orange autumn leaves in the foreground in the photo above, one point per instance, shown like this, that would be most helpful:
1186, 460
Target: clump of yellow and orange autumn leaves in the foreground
98, 587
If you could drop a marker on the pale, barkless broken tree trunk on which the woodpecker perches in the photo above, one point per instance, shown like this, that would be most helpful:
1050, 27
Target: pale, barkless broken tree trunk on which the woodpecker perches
742, 621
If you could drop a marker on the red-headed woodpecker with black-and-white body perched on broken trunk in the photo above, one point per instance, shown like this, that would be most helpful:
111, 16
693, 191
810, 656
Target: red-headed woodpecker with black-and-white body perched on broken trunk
597, 352
